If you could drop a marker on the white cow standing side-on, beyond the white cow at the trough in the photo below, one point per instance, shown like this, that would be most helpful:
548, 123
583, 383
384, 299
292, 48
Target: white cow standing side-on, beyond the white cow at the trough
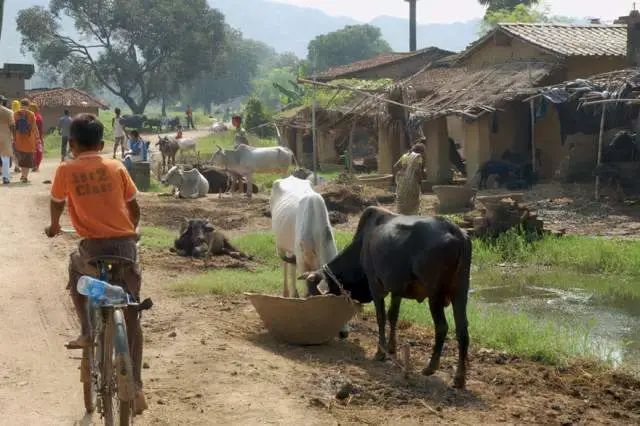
246, 160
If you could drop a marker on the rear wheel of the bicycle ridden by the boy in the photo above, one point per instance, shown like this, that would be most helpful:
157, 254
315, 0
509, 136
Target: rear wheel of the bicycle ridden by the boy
117, 373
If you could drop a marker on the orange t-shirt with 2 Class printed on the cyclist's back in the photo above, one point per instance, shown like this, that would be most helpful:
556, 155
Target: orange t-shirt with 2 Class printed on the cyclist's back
97, 191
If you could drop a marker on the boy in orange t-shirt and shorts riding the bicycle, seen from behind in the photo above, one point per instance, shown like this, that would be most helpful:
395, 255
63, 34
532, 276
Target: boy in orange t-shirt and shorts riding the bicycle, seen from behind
104, 212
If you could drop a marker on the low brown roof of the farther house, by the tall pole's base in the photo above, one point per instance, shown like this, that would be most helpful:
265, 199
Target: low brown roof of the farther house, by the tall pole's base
349, 70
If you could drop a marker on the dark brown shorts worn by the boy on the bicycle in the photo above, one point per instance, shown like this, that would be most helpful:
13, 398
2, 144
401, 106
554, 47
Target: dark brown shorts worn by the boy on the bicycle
120, 247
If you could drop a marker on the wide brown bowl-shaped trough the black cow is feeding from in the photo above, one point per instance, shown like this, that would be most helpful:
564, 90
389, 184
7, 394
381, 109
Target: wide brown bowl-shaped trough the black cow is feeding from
312, 321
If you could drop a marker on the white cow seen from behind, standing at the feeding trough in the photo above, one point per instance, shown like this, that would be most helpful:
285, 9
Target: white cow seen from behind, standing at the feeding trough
300, 222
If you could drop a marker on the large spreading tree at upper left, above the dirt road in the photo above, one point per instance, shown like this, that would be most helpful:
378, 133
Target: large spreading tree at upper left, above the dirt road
139, 50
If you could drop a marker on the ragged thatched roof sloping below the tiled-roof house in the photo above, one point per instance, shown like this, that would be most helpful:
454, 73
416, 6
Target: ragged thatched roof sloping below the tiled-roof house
471, 91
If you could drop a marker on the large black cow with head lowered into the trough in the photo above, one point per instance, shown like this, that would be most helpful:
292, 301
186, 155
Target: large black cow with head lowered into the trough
410, 257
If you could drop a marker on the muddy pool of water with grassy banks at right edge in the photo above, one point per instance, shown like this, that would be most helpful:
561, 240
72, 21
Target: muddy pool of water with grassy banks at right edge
603, 309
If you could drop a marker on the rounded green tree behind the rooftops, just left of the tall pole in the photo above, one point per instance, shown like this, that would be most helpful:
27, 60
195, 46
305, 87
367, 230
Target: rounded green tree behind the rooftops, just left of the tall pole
350, 44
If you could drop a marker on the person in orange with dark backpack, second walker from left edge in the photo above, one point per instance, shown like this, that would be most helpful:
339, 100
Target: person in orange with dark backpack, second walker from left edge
25, 135
